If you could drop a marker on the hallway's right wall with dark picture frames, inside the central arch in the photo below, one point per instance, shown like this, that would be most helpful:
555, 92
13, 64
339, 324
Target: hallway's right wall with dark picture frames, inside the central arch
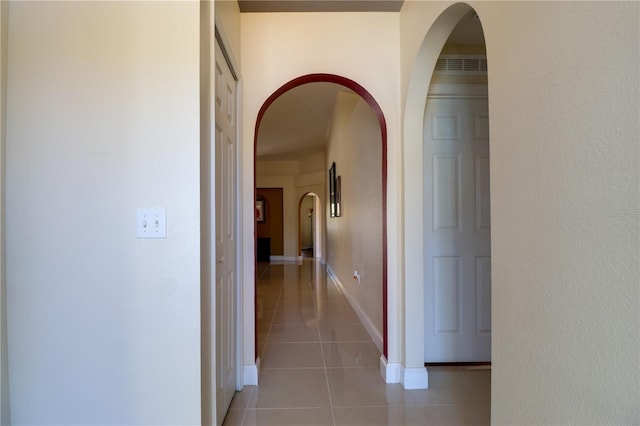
355, 238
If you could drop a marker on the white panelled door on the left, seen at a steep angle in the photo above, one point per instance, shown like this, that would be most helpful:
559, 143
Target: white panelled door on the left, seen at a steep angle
225, 232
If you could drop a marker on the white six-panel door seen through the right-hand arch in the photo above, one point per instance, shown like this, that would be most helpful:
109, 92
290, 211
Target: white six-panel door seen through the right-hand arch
457, 231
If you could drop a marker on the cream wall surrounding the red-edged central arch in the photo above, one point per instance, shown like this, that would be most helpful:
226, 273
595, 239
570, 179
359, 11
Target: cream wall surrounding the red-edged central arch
328, 43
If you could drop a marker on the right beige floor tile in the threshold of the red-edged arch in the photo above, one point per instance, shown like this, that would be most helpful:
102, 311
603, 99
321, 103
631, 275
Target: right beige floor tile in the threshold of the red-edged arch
351, 355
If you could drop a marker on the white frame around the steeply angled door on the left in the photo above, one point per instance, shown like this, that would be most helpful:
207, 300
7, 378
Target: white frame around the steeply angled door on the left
210, 35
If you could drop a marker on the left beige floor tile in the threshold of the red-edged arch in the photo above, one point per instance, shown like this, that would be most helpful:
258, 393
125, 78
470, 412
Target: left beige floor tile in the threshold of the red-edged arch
292, 355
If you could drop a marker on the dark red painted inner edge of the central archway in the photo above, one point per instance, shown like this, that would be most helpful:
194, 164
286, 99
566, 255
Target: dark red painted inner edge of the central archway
377, 111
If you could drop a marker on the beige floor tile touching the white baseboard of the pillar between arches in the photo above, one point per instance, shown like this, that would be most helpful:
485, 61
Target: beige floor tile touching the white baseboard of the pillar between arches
352, 387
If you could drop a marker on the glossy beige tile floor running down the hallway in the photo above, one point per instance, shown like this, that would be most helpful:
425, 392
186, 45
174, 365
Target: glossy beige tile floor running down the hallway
320, 367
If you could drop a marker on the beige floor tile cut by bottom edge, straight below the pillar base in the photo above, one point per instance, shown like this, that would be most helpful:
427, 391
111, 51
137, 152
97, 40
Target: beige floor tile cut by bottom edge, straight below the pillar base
379, 416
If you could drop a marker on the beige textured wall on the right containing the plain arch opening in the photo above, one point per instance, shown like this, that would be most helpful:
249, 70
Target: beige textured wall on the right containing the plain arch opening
564, 193
